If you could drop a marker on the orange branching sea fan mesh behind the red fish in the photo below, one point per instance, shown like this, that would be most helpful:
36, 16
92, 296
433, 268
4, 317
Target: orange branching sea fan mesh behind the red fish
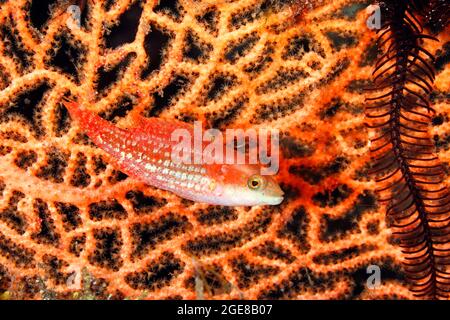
71, 224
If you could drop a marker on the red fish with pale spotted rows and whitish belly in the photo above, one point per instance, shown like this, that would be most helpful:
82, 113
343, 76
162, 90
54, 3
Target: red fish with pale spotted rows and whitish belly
144, 152
